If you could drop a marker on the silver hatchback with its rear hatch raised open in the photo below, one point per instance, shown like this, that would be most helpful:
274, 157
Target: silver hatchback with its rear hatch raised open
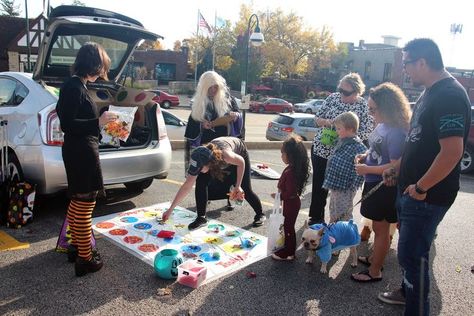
28, 104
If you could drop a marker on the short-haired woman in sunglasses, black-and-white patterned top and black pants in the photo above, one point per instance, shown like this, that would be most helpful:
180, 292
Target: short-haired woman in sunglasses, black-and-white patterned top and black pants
348, 98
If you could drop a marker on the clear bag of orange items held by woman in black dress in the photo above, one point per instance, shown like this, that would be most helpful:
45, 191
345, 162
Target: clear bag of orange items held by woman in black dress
119, 129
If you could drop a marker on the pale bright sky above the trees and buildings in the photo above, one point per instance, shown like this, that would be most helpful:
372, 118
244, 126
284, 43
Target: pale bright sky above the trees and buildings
349, 21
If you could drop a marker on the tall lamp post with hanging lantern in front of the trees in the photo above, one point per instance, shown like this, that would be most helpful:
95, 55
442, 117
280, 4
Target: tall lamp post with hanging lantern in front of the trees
257, 39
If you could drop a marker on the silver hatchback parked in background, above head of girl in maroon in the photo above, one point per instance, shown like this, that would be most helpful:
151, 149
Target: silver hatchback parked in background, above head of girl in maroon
284, 124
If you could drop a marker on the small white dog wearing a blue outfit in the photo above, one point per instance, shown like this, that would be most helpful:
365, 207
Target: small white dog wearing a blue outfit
325, 239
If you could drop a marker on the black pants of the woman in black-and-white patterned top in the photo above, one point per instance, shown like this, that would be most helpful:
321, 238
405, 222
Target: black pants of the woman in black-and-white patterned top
318, 194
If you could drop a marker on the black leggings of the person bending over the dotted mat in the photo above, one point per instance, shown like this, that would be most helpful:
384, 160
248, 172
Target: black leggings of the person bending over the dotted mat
204, 191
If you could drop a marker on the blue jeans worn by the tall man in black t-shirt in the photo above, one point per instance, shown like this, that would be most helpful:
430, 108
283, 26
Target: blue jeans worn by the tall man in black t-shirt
418, 222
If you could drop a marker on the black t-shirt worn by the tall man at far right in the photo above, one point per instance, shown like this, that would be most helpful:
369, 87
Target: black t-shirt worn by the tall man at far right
442, 111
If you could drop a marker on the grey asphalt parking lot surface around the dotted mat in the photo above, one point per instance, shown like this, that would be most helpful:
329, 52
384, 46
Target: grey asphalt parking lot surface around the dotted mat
39, 281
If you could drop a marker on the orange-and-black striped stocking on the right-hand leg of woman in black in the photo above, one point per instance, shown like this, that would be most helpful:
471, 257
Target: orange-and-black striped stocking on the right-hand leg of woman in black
83, 228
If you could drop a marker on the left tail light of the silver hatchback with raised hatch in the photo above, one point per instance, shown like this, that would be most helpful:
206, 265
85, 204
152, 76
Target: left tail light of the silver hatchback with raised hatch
50, 128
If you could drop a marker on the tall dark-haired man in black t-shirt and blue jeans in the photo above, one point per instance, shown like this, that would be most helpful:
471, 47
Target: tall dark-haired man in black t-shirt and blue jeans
429, 169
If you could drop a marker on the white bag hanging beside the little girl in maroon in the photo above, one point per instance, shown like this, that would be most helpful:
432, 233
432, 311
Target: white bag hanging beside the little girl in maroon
275, 233
